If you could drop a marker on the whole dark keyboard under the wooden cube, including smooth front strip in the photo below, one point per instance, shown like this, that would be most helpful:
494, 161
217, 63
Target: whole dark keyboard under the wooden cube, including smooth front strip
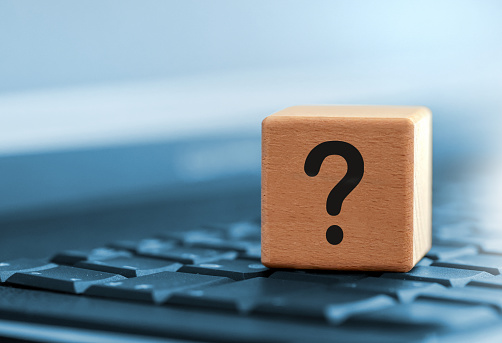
208, 284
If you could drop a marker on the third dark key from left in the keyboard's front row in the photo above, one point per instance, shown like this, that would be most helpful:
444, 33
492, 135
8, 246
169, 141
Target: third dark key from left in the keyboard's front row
240, 296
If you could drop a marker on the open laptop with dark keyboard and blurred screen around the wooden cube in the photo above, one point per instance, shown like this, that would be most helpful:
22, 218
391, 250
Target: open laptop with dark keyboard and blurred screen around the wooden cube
116, 230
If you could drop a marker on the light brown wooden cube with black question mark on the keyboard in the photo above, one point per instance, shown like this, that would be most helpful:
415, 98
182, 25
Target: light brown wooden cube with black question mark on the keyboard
346, 187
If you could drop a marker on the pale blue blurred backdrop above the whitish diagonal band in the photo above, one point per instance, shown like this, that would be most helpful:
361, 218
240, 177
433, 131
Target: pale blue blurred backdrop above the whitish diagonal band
61, 43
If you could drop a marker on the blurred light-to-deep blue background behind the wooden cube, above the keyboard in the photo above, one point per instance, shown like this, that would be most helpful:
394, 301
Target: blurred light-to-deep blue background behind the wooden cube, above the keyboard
113, 101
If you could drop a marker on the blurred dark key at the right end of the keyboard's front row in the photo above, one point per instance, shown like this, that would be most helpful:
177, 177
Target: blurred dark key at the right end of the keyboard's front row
429, 313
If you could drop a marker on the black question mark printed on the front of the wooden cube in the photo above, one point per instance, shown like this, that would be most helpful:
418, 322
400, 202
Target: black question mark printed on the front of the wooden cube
355, 171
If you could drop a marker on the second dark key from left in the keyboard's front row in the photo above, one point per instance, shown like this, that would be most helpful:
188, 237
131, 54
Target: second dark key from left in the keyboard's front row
155, 288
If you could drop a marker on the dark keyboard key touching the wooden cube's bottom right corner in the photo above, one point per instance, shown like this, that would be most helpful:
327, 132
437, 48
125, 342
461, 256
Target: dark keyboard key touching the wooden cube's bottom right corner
446, 276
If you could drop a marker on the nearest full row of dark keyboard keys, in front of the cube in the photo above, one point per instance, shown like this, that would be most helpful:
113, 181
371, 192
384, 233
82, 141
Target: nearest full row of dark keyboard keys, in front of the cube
365, 299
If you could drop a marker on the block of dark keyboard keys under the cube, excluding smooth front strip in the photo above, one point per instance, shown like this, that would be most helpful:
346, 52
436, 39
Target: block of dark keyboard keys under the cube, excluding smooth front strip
456, 287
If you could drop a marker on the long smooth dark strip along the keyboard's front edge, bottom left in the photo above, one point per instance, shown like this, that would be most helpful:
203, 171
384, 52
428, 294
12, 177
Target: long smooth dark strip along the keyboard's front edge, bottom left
45, 307
